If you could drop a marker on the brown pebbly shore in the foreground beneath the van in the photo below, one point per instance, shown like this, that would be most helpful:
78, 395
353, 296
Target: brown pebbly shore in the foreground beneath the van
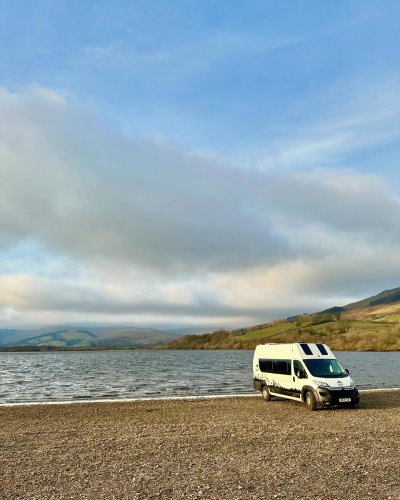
222, 448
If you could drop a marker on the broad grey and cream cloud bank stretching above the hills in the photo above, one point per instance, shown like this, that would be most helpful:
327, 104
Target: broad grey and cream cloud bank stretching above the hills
122, 230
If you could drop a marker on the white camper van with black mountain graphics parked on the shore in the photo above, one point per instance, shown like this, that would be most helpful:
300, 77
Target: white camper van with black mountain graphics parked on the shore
303, 372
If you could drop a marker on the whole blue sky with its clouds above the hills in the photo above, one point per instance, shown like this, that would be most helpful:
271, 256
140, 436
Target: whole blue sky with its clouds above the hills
196, 163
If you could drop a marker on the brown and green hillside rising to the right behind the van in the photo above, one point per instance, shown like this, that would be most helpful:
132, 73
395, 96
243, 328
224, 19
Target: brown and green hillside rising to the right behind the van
372, 324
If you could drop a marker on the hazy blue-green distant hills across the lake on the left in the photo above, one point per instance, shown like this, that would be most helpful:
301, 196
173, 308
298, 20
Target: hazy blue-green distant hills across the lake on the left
69, 337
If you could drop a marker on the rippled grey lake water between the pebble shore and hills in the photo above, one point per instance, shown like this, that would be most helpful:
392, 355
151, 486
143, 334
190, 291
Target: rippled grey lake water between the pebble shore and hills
66, 376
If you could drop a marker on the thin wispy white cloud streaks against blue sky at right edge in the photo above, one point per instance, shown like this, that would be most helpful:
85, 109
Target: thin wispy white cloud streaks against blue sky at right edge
351, 115
